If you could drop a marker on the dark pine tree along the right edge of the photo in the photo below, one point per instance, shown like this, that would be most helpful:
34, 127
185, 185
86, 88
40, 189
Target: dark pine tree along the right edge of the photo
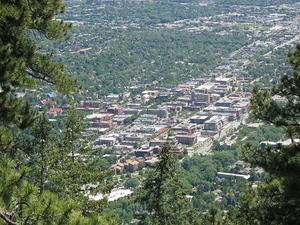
276, 200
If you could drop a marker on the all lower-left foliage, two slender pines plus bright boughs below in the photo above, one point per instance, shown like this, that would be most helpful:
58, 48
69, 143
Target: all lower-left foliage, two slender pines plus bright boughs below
52, 166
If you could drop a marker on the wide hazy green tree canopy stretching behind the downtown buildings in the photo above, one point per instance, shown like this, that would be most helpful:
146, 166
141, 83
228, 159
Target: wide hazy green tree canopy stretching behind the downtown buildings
134, 36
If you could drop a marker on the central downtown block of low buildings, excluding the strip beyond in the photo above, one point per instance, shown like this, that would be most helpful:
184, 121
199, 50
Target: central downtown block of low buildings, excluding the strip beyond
138, 128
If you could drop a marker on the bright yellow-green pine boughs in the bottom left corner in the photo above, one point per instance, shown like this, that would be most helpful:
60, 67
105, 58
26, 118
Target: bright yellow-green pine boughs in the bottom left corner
21, 202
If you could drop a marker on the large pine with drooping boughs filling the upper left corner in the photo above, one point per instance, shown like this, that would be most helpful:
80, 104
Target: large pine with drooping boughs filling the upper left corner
22, 65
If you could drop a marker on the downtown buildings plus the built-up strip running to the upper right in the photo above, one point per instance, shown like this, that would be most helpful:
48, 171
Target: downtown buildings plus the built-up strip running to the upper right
192, 114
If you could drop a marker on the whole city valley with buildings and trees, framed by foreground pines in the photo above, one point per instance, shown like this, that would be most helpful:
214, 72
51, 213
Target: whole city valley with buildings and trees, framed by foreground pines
177, 73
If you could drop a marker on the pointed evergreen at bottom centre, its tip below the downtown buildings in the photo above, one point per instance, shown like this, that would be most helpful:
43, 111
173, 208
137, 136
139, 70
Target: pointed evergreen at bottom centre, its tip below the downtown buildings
164, 195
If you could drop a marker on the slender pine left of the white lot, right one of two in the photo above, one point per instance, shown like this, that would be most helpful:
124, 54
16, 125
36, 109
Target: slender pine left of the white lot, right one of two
73, 173
